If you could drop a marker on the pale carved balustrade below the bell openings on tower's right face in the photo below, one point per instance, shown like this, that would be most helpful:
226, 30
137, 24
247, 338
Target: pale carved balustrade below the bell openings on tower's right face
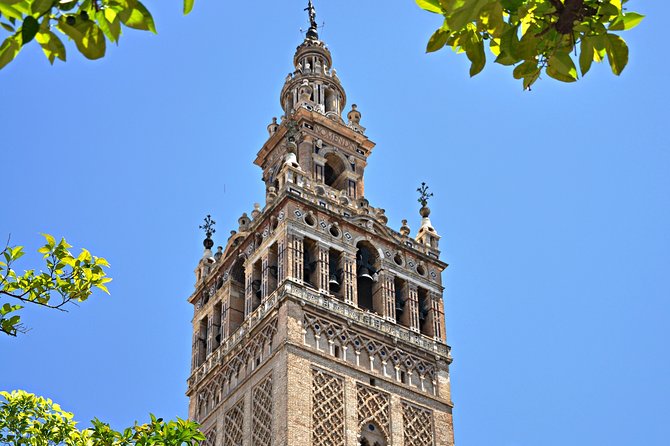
354, 314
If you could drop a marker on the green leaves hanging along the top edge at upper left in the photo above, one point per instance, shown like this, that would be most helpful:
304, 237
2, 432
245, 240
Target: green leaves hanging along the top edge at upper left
89, 23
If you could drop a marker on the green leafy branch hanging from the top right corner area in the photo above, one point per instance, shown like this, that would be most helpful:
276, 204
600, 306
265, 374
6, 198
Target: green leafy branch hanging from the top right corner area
535, 36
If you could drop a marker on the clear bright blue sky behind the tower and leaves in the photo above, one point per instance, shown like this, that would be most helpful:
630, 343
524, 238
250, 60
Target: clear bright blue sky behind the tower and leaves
554, 207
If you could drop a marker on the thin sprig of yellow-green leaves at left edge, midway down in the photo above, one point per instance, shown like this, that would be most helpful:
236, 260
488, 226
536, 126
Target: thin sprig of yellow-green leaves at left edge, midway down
67, 279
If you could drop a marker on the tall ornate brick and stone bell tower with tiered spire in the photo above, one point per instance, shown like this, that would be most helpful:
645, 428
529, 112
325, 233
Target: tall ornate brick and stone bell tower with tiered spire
317, 324
